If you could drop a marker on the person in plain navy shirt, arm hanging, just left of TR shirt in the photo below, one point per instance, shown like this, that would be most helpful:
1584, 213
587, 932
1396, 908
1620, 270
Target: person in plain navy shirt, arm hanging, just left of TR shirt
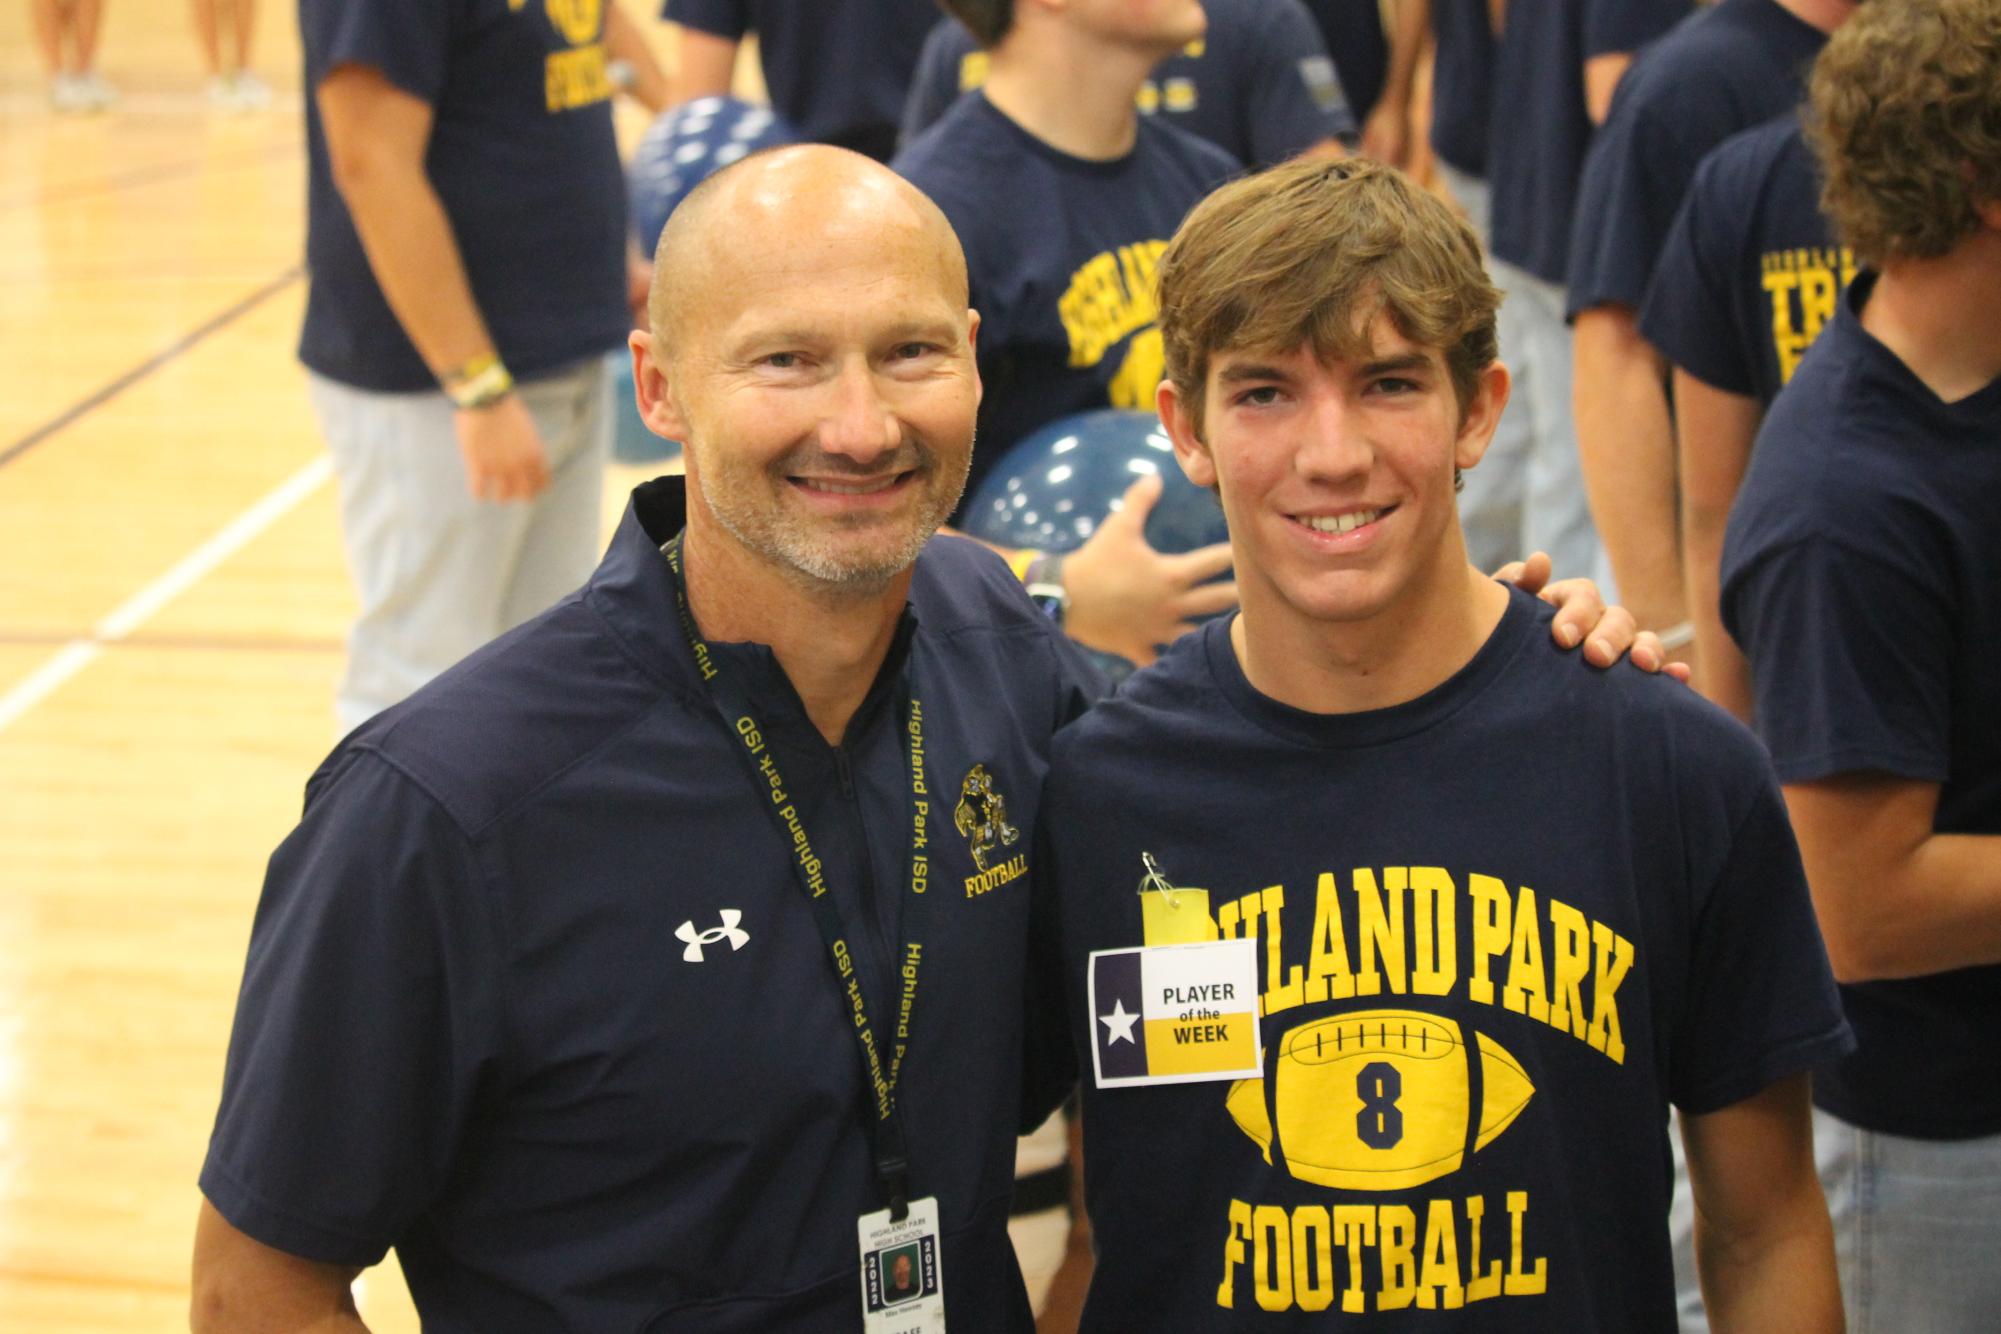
1730, 67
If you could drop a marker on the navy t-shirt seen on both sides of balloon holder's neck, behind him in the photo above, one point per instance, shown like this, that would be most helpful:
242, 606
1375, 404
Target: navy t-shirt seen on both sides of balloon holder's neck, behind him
1260, 85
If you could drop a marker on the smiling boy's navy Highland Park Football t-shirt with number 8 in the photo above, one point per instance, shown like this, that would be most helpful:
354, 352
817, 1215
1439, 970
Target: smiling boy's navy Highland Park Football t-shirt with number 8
1500, 927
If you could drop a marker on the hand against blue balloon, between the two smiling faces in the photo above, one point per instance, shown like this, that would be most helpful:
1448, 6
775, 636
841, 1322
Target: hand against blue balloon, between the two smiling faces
1126, 597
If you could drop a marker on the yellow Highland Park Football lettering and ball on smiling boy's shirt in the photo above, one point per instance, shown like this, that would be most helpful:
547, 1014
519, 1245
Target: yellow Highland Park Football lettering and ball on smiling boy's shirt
1392, 1097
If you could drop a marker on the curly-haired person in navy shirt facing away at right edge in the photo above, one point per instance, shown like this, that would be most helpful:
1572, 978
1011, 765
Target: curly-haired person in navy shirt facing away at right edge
1862, 575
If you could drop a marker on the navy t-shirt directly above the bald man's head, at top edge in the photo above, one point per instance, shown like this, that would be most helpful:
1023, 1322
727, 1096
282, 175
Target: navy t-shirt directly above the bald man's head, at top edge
835, 69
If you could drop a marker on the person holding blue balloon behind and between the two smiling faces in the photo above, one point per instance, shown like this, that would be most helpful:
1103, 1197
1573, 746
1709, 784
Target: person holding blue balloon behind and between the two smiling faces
1064, 197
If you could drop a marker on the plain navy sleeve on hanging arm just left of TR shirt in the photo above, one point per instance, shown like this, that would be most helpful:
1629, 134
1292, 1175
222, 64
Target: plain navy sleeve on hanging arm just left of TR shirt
1636, 175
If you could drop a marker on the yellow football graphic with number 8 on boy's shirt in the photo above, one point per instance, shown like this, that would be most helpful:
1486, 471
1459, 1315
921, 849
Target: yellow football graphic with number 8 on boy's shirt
1380, 1101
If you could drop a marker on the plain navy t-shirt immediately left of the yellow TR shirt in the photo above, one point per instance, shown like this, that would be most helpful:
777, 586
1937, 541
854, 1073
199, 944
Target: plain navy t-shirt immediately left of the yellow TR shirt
1724, 71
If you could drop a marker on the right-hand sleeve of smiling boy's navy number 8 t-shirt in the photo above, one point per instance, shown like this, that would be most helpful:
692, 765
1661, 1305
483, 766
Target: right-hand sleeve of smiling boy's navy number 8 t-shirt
1762, 1001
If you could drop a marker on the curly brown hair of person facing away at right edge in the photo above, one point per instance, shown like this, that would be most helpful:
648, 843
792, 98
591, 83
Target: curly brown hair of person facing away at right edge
1906, 117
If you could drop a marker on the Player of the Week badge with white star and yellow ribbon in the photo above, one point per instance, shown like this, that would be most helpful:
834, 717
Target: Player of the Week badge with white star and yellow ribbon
1174, 1013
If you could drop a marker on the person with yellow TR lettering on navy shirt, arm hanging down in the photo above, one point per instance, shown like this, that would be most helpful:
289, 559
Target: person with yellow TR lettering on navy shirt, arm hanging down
1748, 279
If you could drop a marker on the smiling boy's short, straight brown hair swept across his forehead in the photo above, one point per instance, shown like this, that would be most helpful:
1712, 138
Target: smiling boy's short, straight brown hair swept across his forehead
1306, 255
